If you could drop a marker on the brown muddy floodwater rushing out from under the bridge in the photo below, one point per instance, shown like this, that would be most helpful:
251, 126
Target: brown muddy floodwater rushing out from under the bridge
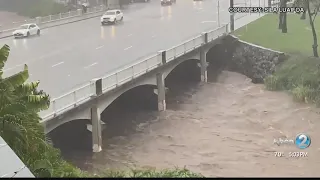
222, 128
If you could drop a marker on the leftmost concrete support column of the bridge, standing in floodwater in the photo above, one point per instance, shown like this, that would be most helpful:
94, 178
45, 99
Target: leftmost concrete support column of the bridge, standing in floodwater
96, 119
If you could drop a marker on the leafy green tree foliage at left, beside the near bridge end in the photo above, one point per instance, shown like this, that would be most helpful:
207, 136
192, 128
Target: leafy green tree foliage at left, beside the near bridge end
20, 103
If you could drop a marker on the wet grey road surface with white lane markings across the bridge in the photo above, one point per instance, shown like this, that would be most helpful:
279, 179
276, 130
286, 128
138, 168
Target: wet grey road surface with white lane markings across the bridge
67, 56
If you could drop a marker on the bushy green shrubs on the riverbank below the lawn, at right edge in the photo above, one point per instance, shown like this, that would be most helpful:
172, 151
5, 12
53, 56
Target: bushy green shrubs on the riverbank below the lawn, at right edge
300, 76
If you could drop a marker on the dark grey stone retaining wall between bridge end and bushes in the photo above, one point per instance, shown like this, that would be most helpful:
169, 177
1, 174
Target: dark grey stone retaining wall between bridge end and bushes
254, 61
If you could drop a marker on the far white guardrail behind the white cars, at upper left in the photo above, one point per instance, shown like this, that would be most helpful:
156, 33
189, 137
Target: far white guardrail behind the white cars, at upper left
51, 18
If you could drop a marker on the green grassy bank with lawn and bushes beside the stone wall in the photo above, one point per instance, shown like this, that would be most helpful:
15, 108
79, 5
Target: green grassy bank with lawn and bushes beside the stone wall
300, 73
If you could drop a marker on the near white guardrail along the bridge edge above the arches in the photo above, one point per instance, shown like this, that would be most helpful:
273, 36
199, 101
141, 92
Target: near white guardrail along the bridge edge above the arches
83, 94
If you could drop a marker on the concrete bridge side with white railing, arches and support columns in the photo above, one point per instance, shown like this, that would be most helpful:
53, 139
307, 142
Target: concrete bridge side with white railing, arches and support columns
88, 101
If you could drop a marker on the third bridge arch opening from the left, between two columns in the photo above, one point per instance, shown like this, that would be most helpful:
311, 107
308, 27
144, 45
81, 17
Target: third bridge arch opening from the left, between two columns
181, 82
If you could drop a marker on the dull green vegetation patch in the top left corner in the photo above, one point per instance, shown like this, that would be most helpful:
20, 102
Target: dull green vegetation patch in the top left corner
32, 8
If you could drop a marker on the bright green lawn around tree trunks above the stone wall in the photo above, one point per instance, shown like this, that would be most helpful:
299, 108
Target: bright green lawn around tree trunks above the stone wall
265, 32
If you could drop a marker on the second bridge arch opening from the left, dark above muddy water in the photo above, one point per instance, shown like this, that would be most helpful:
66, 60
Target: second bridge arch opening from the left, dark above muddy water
126, 112
